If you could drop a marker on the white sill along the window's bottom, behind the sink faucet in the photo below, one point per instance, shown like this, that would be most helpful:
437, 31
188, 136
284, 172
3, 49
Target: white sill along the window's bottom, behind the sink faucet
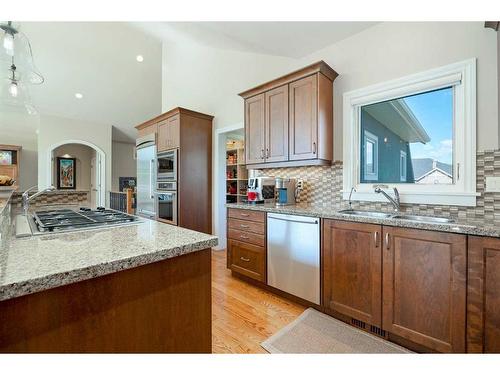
447, 199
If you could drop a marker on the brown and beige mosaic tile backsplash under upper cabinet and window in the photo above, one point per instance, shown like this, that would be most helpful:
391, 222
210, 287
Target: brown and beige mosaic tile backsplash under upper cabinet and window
323, 187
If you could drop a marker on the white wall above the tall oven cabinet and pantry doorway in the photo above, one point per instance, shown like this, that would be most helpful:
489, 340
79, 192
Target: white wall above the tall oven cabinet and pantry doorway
209, 80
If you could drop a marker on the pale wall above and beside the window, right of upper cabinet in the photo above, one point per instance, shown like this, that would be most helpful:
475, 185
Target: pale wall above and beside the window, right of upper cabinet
394, 49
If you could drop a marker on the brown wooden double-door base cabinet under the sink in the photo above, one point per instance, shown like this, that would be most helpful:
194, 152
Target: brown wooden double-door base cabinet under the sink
411, 283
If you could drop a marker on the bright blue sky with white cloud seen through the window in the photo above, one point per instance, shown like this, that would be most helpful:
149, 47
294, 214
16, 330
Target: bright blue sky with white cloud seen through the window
434, 110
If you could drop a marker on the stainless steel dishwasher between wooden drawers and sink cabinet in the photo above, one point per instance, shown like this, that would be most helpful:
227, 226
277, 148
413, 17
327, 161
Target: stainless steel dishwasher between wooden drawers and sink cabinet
293, 255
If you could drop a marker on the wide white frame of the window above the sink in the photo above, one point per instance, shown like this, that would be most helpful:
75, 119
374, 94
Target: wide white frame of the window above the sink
462, 77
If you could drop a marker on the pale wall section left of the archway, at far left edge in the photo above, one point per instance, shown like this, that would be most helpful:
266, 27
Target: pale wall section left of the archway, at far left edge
20, 129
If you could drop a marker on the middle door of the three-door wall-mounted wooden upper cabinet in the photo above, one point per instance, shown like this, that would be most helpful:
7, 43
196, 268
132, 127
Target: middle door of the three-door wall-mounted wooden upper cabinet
276, 109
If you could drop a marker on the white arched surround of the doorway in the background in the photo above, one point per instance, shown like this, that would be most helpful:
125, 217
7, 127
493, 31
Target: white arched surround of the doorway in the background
100, 167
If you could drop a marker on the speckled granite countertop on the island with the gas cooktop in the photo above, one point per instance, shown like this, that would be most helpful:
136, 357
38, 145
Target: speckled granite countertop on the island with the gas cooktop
38, 263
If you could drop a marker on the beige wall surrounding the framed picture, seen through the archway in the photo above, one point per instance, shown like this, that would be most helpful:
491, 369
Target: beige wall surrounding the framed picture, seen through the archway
83, 155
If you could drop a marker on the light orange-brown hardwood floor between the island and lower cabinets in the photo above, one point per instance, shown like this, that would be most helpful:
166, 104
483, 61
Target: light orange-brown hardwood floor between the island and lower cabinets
243, 315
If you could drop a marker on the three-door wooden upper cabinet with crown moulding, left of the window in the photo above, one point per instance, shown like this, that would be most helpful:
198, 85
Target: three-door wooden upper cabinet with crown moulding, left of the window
298, 119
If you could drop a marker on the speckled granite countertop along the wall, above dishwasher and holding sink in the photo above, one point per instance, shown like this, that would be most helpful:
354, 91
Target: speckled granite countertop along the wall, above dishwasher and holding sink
472, 227
